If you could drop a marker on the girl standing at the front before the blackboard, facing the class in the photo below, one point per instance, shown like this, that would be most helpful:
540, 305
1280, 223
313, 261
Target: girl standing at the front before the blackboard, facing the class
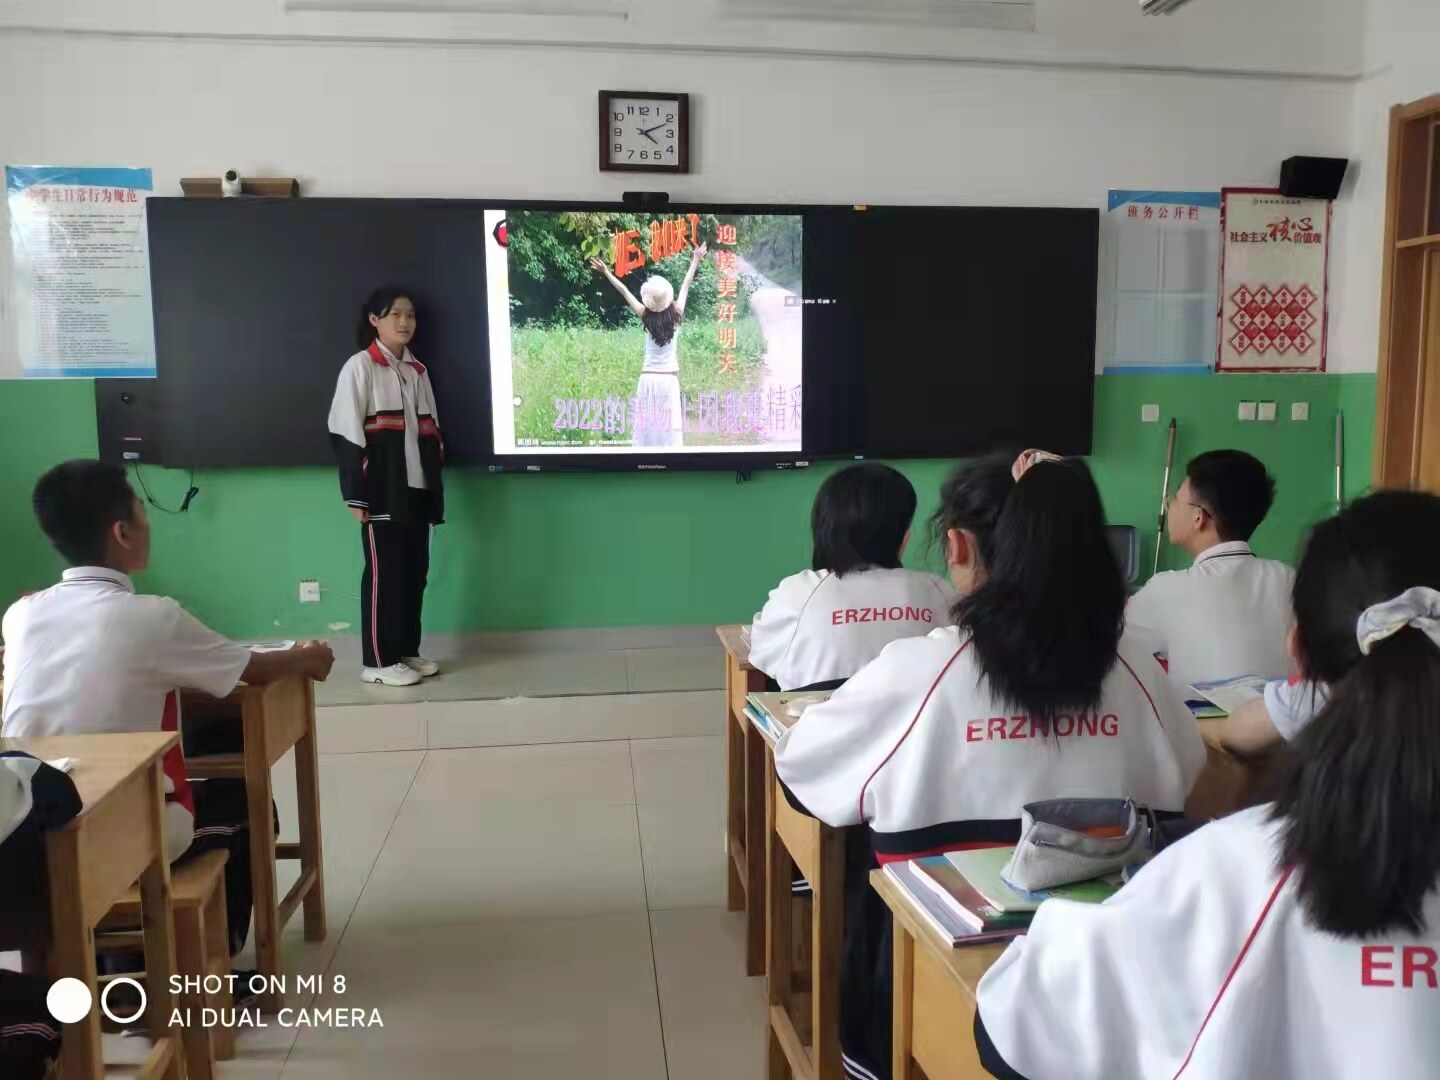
390, 447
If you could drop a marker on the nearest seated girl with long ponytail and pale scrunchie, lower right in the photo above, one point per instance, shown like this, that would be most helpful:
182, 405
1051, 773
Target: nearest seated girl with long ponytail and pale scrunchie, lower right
1295, 941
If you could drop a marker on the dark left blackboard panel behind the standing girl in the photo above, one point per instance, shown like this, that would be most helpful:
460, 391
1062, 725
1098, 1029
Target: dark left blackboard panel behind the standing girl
257, 303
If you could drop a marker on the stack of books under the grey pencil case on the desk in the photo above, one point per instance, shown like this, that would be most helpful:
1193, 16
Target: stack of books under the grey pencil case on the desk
966, 899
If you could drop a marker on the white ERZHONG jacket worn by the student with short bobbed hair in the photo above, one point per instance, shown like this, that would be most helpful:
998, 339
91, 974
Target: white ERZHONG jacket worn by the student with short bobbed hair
819, 627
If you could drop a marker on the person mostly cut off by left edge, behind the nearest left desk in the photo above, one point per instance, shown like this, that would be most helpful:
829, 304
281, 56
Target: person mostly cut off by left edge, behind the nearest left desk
35, 798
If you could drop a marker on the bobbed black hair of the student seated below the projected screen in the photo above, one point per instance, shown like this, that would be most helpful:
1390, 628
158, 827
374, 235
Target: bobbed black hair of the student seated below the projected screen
860, 519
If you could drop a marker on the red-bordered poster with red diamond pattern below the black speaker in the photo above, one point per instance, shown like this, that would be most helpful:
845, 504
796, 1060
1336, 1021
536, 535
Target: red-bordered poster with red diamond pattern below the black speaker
1274, 282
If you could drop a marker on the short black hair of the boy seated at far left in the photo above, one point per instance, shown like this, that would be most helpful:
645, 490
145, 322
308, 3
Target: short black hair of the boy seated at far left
78, 503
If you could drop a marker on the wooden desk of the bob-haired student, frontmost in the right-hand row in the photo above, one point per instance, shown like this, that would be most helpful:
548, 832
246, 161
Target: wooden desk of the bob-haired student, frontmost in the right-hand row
745, 797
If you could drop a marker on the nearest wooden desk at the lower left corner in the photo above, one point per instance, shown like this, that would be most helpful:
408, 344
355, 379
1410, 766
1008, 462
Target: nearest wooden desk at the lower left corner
94, 860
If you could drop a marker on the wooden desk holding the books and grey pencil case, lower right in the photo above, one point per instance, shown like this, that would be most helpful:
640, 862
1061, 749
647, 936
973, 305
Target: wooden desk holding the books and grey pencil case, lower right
934, 996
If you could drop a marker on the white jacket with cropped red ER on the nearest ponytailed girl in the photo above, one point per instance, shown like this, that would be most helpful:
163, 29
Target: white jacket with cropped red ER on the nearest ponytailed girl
1205, 968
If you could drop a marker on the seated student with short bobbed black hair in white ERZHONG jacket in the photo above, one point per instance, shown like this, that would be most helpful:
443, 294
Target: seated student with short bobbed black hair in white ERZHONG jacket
827, 623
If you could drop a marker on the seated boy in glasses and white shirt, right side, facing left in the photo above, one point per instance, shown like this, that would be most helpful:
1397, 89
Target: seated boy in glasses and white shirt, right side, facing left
1229, 613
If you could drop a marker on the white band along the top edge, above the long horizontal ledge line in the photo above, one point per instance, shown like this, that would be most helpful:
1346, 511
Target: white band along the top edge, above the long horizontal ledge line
1317, 37
